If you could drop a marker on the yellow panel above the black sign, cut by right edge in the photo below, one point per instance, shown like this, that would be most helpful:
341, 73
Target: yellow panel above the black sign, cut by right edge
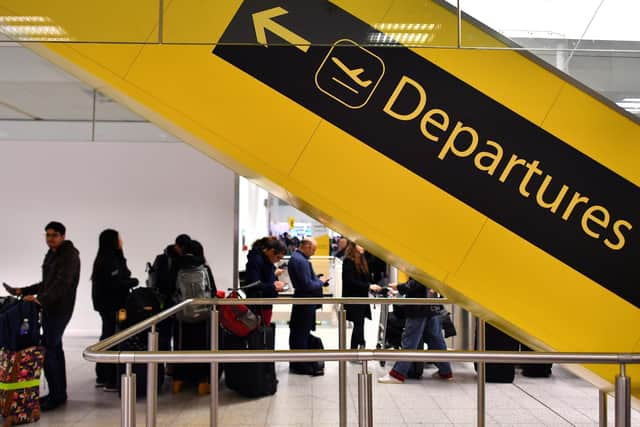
599, 131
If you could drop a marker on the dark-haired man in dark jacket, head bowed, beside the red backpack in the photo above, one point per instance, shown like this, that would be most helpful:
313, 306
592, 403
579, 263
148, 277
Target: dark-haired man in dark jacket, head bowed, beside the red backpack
261, 260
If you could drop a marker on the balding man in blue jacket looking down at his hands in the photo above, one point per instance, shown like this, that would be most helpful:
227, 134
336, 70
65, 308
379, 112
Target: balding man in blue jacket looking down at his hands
303, 317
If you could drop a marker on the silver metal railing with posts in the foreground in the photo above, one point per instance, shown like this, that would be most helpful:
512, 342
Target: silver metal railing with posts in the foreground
100, 353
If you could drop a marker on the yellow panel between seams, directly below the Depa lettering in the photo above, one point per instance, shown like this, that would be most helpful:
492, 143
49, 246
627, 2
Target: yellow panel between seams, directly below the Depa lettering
360, 191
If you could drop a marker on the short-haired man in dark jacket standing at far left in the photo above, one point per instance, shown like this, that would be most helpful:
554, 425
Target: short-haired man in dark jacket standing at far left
56, 293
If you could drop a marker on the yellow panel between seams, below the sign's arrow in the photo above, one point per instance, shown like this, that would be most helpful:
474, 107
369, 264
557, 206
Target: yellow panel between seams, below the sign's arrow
194, 82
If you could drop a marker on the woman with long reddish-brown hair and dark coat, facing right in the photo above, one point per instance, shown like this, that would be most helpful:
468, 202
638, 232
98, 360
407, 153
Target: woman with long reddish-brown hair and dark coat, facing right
355, 283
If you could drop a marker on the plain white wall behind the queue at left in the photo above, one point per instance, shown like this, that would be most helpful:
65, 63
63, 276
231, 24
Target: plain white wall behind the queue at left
150, 192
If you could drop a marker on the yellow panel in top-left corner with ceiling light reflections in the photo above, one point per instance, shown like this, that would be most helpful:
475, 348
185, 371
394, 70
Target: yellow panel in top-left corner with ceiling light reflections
112, 21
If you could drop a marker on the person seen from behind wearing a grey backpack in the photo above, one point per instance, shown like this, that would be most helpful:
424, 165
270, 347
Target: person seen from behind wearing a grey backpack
194, 280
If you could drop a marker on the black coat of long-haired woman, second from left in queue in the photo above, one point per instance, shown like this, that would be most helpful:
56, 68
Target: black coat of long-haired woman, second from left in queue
110, 283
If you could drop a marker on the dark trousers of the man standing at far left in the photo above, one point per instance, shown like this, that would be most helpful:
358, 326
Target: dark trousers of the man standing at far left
54, 363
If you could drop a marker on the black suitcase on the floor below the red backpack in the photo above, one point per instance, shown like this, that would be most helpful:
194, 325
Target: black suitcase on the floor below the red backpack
251, 379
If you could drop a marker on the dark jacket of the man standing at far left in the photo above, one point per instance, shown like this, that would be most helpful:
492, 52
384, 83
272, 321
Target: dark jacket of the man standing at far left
60, 277
